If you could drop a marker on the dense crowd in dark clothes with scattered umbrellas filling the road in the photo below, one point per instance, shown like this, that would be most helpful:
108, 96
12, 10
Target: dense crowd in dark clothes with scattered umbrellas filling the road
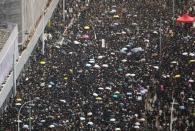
110, 71
